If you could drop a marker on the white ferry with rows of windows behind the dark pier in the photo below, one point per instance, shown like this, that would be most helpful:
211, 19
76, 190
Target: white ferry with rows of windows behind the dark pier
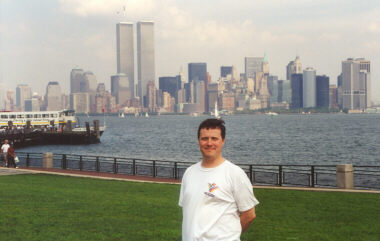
38, 118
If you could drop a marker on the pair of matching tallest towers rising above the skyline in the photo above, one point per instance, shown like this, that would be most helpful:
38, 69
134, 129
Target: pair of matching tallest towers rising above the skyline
145, 56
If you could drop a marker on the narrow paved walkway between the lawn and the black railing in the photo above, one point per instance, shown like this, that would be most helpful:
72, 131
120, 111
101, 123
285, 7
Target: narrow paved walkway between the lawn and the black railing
123, 177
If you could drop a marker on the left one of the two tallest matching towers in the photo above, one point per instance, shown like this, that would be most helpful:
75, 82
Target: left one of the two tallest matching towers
125, 54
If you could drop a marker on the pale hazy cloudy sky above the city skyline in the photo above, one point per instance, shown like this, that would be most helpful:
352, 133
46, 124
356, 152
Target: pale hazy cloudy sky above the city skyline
42, 40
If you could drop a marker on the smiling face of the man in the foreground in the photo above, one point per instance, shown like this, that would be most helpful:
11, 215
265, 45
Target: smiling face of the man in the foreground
211, 143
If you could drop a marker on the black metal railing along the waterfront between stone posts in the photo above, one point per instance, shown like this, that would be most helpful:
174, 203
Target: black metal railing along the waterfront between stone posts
367, 177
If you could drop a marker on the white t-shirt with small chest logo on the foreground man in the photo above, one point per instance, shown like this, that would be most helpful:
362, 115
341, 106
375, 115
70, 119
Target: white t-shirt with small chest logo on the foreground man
211, 201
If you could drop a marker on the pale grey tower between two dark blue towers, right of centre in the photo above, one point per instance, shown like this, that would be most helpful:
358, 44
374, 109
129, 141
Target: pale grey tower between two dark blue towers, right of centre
309, 88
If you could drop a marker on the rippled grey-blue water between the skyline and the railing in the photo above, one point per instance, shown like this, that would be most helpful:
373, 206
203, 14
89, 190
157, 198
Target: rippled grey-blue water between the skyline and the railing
282, 139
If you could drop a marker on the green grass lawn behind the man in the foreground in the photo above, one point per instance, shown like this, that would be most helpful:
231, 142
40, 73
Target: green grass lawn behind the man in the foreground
50, 207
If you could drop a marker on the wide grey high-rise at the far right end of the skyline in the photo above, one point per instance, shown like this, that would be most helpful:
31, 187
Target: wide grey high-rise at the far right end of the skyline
356, 84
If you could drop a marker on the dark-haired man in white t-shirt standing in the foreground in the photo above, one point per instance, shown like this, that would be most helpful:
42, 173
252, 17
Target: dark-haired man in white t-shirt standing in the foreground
216, 196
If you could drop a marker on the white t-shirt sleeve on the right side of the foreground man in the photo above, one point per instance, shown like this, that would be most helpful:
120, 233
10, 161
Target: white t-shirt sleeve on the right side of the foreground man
243, 191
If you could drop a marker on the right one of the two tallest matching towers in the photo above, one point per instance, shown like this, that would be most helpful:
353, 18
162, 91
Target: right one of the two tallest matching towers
145, 57
